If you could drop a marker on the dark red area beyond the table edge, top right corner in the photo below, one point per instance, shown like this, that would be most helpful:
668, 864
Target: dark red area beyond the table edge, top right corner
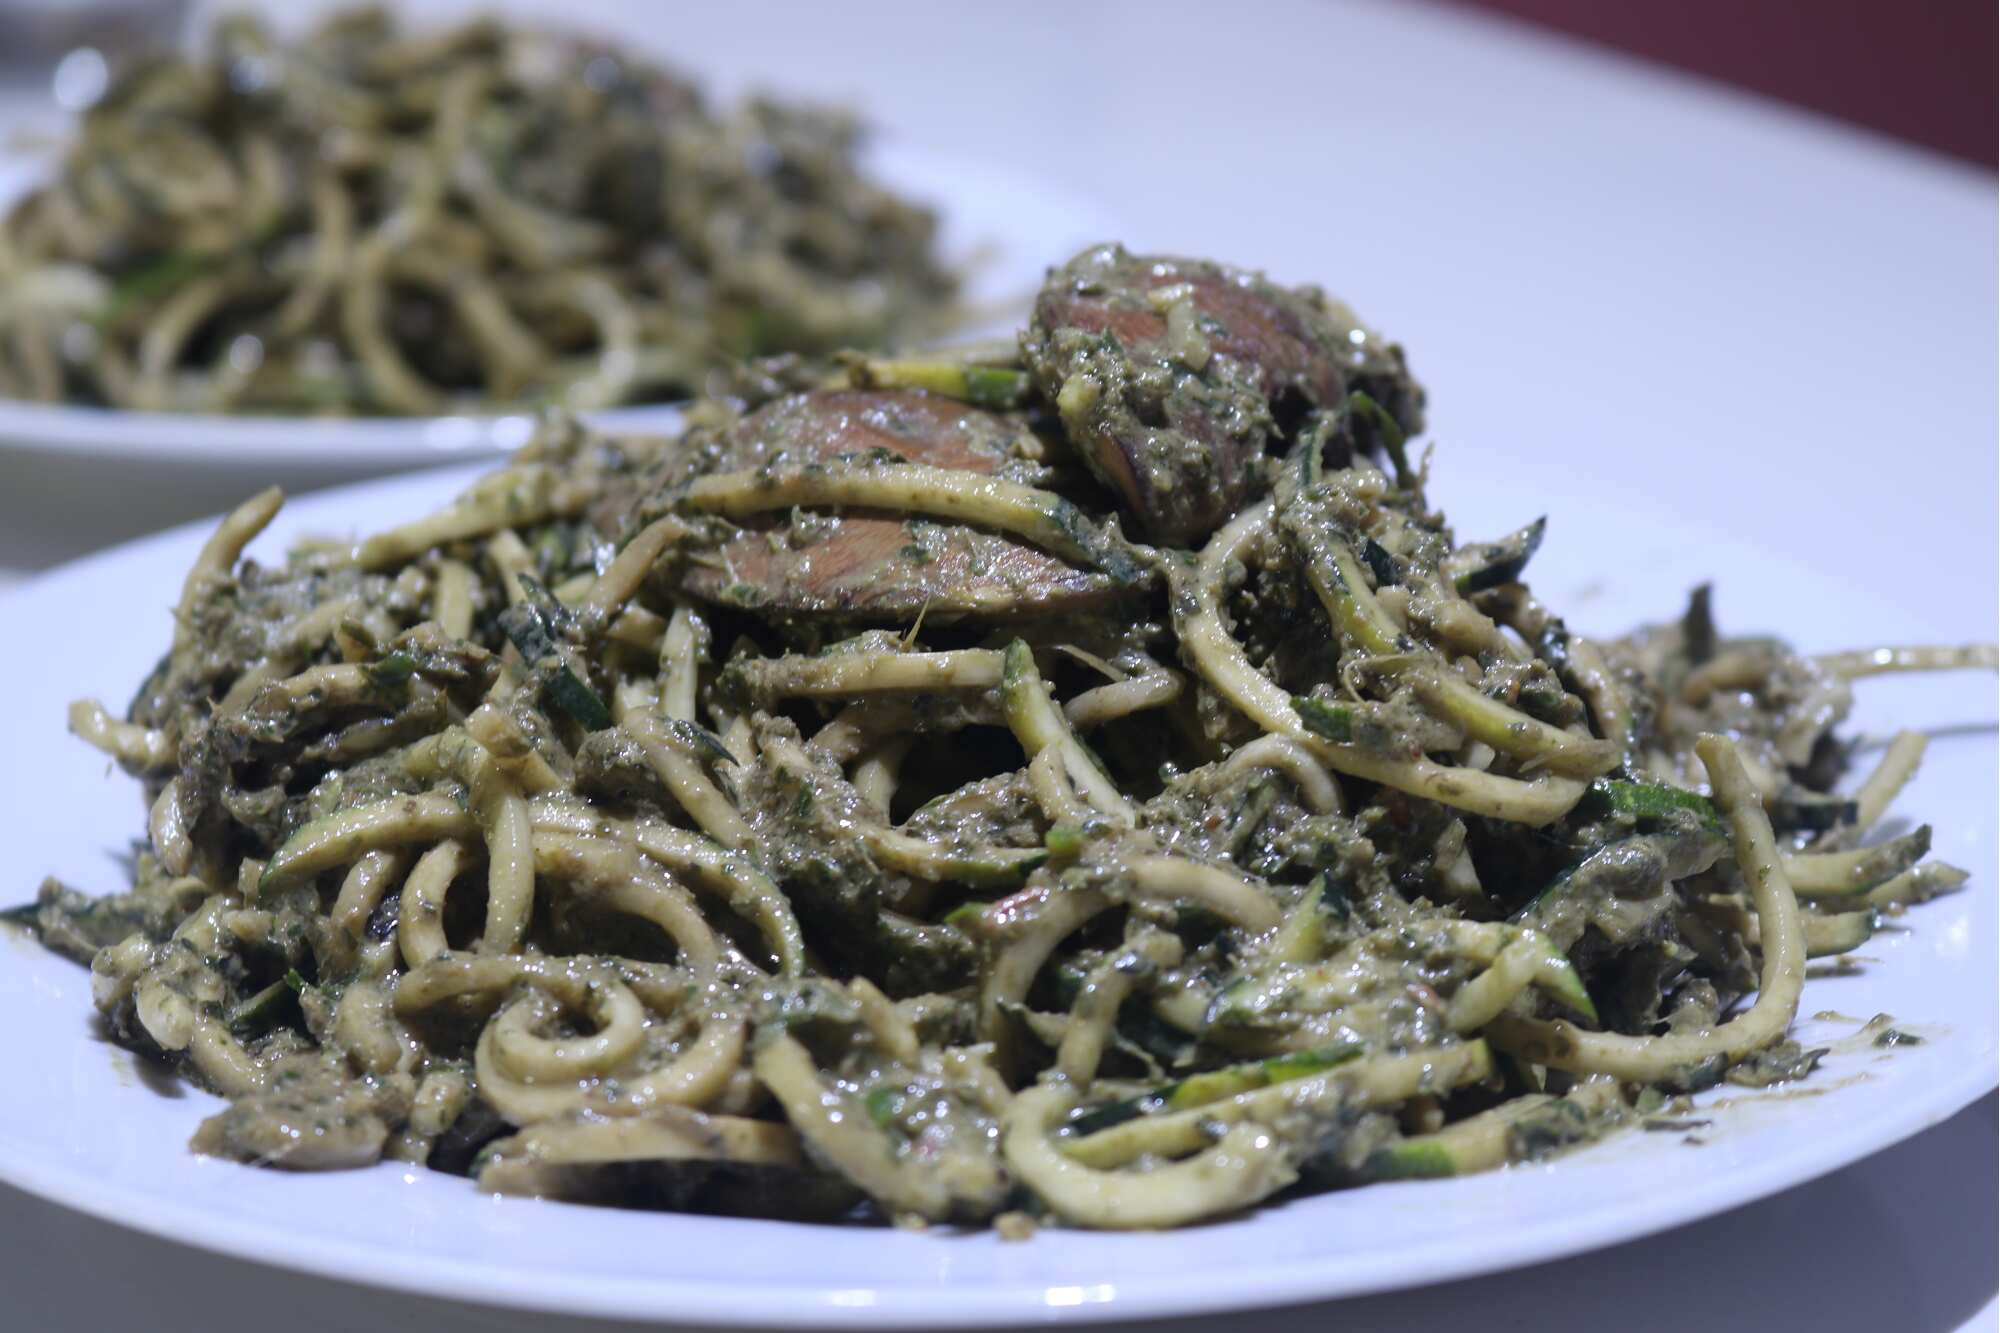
1917, 69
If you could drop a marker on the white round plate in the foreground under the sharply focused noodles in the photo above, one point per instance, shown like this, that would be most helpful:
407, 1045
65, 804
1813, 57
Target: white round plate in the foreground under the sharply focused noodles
83, 1126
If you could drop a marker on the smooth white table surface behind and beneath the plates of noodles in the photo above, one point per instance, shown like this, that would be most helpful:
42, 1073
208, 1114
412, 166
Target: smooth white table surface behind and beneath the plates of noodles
1583, 253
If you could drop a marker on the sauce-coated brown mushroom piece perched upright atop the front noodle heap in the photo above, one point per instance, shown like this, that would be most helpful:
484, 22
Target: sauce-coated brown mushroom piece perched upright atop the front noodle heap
1179, 377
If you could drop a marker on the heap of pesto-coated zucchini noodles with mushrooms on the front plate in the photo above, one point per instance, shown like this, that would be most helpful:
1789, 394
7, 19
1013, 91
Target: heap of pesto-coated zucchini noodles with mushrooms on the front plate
891, 802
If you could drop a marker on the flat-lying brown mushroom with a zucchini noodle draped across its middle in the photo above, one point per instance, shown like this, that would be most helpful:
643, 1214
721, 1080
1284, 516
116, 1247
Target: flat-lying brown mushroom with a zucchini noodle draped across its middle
883, 567
